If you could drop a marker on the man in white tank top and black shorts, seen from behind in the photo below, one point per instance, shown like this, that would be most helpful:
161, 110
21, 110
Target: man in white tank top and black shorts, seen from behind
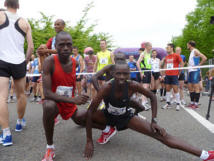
13, 30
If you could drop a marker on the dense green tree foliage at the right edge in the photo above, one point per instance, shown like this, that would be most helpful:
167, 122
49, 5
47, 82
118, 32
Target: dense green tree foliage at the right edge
199, 29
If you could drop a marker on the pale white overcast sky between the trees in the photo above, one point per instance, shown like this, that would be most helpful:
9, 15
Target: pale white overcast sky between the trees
130, 22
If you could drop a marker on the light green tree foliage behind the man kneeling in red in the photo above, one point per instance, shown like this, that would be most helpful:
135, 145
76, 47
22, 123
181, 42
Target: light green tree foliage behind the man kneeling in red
83, 35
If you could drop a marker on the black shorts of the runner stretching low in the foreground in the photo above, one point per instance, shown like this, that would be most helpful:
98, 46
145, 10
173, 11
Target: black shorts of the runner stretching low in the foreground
121, 122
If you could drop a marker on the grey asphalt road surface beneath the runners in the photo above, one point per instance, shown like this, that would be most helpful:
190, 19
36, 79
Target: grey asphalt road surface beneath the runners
69, 139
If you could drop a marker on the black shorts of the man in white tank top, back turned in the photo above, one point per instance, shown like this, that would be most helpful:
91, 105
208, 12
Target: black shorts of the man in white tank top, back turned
17, 71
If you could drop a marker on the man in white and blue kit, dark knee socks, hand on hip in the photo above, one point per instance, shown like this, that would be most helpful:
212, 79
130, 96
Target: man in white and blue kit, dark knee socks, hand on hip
194, 73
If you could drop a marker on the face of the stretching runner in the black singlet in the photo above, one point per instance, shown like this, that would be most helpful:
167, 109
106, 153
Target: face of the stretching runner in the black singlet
121, 74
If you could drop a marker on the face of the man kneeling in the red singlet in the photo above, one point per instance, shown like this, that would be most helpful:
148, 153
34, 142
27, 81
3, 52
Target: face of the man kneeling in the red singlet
64, 45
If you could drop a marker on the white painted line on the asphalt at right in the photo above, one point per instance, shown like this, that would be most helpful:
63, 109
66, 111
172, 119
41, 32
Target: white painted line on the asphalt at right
200, 119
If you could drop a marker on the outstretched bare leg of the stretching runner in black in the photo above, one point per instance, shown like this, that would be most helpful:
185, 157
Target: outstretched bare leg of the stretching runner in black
144, 127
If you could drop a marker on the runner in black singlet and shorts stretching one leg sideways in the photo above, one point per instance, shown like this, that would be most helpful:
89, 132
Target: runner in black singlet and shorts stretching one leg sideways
116, 94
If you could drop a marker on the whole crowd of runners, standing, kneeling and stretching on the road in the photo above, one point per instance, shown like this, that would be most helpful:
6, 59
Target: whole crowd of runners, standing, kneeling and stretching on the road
60, 78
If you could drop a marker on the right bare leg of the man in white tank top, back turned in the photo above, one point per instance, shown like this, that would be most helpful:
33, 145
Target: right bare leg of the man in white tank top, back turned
21, 97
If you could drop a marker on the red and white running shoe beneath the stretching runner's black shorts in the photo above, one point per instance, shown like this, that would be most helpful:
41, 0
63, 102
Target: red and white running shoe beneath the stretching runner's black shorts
105, 137
